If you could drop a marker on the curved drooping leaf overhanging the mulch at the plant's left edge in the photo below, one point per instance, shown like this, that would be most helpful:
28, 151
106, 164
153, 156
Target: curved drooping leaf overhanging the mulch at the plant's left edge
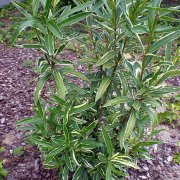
42, 80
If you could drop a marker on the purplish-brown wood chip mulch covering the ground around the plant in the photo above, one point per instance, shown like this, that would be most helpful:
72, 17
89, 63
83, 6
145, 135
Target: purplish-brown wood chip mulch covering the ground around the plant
16, 94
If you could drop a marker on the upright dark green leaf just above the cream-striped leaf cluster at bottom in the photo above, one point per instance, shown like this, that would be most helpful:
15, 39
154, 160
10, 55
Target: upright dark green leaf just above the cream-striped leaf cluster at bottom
108, 142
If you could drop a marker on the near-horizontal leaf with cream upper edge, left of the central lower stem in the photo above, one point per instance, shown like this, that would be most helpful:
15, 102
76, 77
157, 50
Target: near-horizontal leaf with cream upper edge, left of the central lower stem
82, 107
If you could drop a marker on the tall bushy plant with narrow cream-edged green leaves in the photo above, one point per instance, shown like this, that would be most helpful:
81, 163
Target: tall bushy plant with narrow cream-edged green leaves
98, 130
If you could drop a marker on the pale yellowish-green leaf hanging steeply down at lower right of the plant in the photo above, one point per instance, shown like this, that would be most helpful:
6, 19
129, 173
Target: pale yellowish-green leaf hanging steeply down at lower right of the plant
130, 125
